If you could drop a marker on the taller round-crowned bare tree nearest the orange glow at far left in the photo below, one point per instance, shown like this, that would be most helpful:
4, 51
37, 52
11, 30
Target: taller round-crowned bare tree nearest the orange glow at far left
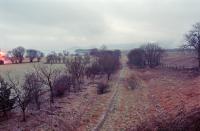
18, 53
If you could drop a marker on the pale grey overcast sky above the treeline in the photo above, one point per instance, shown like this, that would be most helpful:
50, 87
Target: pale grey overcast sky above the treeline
65, 24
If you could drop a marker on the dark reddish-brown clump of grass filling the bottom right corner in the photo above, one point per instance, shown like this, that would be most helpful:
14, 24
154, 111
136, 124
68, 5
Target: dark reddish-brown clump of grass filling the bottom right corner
189, 121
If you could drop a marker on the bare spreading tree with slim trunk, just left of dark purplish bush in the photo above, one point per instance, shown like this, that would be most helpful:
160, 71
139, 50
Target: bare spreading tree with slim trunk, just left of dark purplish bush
47, 75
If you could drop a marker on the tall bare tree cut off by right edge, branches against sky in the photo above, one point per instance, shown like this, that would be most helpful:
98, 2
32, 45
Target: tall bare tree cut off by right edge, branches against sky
193, 40
